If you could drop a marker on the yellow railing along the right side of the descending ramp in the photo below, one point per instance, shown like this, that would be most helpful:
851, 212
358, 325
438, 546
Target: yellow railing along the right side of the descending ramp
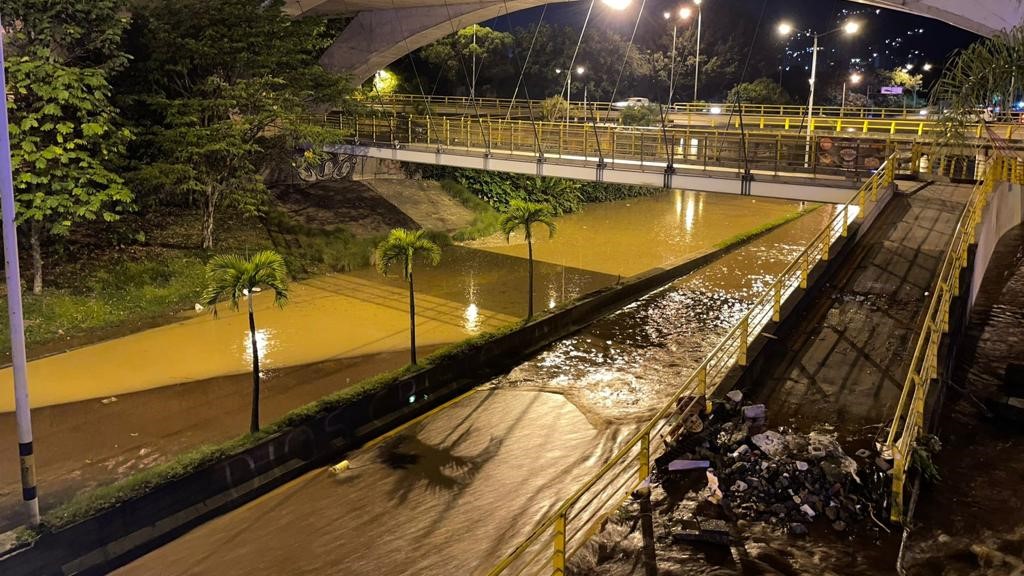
910, 420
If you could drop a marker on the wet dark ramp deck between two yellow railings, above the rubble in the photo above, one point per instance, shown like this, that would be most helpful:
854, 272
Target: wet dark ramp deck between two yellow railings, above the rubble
846, 361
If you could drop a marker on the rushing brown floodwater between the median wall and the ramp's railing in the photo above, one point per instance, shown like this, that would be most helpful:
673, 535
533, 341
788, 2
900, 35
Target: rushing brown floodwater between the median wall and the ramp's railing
451, 493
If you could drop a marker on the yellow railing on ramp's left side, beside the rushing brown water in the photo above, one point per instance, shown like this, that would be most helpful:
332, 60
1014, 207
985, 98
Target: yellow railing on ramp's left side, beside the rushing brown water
580, 517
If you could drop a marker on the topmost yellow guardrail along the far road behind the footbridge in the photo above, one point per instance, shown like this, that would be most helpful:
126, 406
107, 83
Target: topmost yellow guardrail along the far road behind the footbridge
471, 106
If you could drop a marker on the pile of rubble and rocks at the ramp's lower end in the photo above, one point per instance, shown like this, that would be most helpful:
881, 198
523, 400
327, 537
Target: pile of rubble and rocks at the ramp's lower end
775, 476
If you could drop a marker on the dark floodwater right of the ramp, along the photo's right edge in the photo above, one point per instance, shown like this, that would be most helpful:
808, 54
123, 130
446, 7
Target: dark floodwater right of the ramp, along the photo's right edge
972, 522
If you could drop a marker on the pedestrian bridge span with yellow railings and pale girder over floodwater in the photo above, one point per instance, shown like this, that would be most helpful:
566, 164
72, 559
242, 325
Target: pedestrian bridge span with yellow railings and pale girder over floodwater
815, 168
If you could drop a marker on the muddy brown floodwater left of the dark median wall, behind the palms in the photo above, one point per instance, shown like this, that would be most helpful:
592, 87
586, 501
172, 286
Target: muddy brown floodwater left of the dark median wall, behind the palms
110, 409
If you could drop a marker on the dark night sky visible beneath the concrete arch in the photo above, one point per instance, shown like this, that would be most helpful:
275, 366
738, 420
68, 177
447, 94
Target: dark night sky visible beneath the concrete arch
911, 39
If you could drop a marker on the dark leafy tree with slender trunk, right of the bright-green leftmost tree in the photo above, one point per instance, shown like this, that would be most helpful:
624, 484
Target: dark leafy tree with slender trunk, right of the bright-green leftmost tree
227, 91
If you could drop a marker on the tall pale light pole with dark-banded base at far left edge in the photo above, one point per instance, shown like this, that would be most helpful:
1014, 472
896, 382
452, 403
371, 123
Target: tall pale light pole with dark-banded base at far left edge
23, 415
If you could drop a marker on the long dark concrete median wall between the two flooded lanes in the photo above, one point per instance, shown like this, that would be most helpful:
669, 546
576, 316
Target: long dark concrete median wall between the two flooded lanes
116, 537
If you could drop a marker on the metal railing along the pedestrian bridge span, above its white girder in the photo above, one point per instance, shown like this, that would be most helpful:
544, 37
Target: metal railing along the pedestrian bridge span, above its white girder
625, 148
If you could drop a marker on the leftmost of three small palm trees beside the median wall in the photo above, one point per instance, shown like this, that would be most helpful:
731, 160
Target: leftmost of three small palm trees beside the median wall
231, 278
